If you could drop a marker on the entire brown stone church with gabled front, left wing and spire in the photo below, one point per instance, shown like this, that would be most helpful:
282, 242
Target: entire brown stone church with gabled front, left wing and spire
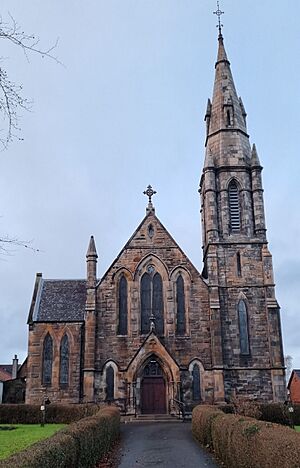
154, 331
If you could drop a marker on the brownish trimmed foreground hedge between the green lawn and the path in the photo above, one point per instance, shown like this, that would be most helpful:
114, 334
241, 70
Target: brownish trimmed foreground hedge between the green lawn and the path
80, 445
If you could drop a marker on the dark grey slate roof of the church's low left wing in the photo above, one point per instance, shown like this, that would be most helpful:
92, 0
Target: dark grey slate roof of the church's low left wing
60, 301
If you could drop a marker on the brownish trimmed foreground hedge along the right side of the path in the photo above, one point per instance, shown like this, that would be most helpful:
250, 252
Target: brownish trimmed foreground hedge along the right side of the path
246, 442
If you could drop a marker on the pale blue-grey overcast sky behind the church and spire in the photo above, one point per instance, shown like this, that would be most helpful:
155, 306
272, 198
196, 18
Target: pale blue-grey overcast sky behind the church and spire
126, 110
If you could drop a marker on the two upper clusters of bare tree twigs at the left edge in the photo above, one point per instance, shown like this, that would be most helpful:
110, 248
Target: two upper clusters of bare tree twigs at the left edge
11, 94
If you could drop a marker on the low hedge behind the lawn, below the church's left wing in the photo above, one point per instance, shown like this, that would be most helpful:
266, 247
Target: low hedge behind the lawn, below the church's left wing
31, 414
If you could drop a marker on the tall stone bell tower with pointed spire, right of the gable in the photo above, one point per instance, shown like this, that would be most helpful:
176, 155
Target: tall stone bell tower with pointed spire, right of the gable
245, 319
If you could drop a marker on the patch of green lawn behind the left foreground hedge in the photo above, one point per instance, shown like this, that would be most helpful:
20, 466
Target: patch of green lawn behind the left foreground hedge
26, 434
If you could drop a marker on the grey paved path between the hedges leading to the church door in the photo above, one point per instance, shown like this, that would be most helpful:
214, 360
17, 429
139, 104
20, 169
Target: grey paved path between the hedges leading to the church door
161, 444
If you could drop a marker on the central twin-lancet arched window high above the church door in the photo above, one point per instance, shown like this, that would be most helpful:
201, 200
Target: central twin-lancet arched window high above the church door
152, 302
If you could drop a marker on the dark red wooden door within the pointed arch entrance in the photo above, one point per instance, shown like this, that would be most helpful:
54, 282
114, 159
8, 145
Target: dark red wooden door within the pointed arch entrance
153, 388
